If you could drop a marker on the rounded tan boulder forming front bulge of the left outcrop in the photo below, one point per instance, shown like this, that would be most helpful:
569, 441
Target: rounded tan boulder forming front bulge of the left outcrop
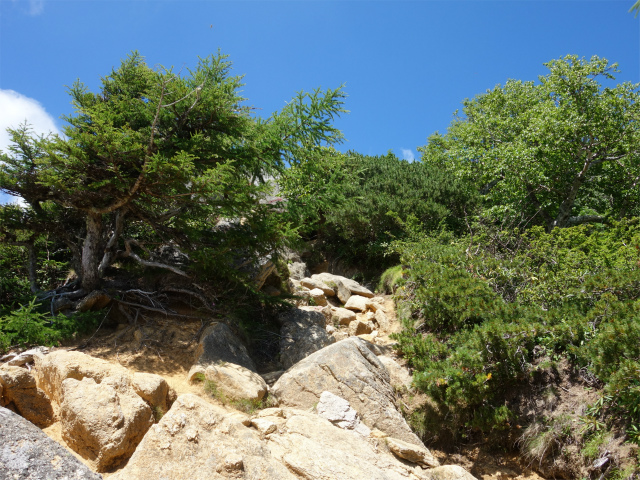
104, 426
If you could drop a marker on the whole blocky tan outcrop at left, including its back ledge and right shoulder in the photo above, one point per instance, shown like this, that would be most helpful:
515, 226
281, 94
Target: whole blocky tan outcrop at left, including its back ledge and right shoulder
104, 409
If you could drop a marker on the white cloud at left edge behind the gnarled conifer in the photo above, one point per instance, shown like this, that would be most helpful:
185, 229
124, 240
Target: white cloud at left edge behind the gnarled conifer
15, 110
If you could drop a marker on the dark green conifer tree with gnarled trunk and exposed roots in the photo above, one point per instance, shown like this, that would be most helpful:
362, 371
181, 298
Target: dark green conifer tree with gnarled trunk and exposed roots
155, 156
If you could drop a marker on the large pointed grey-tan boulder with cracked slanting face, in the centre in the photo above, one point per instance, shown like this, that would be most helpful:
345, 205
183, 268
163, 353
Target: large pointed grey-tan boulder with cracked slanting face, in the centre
351, 371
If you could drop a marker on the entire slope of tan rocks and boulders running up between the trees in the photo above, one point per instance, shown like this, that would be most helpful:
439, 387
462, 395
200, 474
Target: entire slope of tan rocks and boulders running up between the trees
333, 409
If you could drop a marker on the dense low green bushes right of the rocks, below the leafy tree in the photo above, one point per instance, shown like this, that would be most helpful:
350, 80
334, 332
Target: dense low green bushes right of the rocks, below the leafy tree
478, 316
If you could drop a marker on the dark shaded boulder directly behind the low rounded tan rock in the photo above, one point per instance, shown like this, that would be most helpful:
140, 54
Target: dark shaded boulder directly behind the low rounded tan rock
219, 344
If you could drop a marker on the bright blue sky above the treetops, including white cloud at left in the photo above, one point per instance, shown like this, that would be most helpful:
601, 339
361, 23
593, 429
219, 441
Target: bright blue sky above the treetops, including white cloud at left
406, 65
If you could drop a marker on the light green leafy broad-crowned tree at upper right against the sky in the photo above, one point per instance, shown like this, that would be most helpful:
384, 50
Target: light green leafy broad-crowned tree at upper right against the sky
560, 152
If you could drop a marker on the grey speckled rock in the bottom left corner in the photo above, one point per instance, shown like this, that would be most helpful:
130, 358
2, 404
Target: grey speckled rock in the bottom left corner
27, 453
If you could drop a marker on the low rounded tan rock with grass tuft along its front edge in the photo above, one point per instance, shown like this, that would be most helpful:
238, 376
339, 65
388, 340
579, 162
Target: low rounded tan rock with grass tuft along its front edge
236, 382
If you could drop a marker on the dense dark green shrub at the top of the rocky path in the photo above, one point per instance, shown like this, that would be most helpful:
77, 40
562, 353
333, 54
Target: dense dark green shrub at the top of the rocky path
359, 204
